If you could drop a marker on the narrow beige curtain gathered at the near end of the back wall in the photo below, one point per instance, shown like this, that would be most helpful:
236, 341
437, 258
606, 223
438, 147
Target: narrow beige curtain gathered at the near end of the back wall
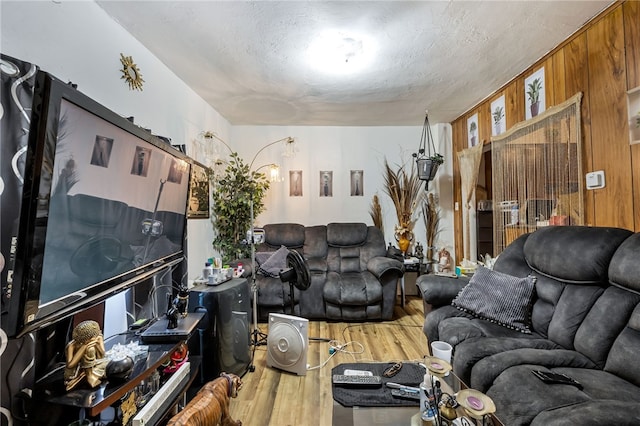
469, 161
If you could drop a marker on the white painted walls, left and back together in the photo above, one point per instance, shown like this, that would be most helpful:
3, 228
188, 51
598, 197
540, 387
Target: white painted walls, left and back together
76, 41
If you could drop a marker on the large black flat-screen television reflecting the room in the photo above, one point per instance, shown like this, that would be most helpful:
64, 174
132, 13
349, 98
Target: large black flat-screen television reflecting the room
104, 207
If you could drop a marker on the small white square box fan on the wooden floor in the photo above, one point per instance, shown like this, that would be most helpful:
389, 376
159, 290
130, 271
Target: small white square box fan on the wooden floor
287, 343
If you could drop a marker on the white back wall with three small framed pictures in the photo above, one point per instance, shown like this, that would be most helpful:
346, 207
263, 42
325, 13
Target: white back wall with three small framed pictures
342, 149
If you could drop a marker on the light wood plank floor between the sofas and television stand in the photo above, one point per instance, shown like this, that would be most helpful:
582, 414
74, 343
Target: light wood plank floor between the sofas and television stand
270, 397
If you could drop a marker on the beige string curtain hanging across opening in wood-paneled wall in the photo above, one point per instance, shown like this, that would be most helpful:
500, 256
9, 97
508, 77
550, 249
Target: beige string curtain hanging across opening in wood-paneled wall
537, 174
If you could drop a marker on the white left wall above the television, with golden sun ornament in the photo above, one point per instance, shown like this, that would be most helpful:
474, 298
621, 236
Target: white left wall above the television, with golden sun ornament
76, 41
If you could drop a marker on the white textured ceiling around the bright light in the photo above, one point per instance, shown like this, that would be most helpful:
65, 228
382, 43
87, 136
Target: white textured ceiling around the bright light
249, 60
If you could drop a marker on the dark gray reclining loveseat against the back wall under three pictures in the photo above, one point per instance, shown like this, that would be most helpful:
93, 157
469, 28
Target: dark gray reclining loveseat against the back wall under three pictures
351, 277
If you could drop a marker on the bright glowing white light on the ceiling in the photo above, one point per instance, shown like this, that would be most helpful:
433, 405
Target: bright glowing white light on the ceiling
340, 52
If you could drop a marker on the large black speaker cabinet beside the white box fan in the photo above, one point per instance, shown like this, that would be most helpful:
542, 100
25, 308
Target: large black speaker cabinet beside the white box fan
222, 338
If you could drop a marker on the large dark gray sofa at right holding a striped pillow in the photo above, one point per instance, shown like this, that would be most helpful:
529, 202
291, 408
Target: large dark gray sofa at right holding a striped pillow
584, 322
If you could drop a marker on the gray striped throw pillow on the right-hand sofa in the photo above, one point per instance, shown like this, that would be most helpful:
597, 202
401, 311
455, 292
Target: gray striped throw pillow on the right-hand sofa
498, 297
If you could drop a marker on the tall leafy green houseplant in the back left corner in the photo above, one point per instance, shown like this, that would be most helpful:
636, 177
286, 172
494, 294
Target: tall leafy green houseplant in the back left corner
231, 206
